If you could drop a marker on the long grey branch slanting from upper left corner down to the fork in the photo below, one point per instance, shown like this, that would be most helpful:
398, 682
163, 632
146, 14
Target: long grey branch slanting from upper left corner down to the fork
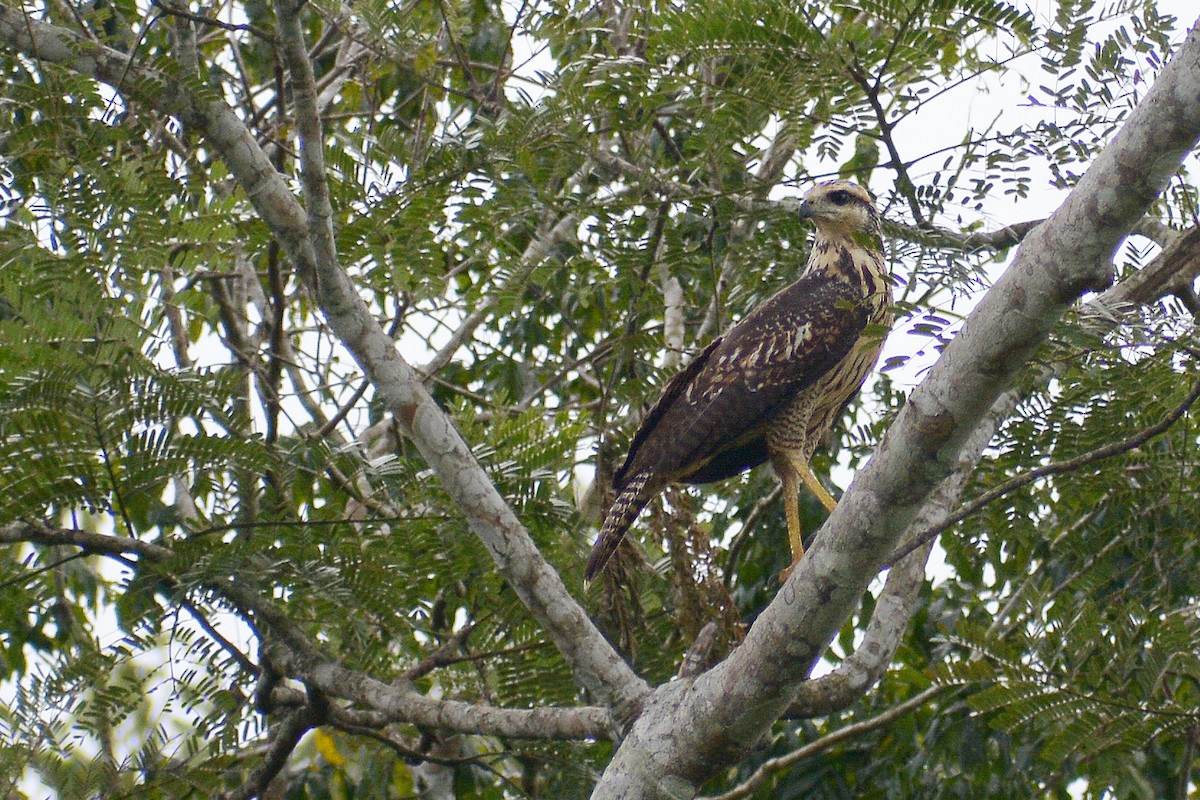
598, 667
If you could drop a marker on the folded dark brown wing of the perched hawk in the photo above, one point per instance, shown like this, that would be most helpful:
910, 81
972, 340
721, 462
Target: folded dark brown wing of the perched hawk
713, 416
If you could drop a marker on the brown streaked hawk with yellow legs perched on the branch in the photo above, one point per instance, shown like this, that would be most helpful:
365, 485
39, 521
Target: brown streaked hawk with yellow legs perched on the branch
772, 386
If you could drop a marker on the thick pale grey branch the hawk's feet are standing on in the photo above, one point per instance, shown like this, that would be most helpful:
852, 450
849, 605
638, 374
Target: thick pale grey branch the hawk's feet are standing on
709, 723
